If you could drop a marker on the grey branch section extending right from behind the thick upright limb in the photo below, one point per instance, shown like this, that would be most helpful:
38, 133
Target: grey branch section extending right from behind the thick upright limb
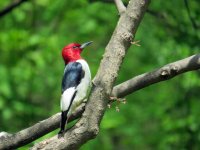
164, 73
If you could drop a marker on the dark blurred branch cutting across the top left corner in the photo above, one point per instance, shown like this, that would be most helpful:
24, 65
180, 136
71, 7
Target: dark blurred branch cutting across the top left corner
10, 7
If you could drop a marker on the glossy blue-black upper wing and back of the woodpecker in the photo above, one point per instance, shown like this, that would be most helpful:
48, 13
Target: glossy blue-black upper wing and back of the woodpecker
72, 75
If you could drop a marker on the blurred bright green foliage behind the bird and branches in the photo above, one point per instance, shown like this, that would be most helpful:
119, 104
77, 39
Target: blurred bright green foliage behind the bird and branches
163, 116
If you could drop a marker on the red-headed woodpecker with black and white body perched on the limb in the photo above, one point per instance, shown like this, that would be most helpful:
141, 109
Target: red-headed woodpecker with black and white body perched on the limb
76, 81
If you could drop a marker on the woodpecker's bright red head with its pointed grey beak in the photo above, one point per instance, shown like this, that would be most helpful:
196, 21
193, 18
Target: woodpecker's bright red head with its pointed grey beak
72, 52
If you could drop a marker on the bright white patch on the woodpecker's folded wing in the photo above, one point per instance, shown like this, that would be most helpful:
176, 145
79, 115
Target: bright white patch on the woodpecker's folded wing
66, 98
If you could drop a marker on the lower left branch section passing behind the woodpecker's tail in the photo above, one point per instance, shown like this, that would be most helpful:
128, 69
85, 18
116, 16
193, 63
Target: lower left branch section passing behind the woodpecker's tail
23, 137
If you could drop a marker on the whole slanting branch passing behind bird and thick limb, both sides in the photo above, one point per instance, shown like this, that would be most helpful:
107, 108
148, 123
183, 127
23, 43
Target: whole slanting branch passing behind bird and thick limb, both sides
136, 83
